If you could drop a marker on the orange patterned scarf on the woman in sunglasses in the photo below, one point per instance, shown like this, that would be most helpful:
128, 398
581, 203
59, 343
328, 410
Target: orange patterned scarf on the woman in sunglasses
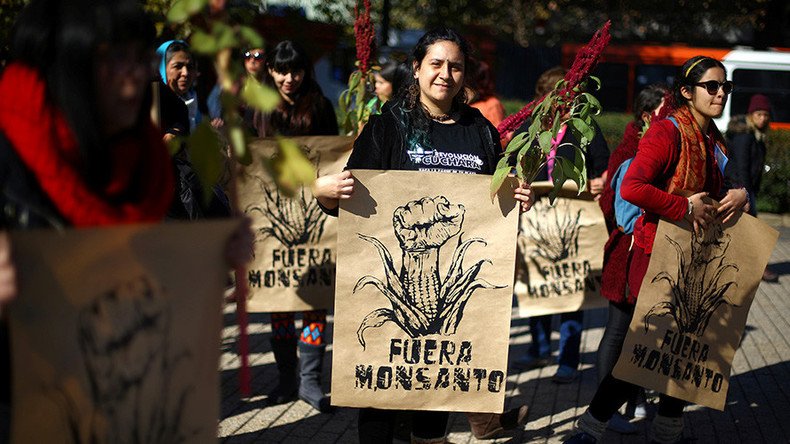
691, 172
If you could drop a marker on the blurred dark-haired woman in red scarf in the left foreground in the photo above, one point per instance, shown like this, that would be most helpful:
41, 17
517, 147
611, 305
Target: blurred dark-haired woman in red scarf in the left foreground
77, 146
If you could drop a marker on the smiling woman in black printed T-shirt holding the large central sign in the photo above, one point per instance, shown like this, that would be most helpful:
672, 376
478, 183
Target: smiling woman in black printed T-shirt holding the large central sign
431, 120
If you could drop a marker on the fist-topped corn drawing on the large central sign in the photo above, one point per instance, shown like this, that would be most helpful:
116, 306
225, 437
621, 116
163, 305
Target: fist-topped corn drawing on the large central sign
422, 302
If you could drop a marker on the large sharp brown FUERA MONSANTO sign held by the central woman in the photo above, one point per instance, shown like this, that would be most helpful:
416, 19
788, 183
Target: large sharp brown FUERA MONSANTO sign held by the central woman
424, 292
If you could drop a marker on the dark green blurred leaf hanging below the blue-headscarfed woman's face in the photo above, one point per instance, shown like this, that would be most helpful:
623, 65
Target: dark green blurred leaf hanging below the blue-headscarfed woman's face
205, 156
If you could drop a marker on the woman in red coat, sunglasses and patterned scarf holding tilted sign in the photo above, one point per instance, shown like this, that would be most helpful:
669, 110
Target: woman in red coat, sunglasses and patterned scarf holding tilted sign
678, 156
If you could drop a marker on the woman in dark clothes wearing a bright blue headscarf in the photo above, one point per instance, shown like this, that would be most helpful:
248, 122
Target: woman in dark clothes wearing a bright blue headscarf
179, 115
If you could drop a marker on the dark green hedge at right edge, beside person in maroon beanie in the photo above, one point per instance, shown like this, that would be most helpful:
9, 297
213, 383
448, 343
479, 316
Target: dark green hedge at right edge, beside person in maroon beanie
774, 195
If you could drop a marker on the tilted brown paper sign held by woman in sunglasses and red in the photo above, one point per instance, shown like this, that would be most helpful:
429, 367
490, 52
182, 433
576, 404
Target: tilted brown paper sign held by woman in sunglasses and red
692, 308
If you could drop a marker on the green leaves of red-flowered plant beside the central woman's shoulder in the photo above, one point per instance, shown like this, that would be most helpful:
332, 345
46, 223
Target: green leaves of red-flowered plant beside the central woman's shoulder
530, 149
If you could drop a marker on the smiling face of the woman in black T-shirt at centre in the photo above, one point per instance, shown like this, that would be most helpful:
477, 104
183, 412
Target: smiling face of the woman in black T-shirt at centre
440, 74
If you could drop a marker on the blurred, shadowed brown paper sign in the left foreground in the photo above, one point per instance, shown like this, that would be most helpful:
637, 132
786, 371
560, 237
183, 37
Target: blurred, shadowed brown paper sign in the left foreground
115, 333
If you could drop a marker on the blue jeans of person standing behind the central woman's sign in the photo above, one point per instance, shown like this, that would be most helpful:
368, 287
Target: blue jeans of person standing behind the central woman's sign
570, 337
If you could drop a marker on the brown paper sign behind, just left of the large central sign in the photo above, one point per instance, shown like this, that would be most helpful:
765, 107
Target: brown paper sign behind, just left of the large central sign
294, 265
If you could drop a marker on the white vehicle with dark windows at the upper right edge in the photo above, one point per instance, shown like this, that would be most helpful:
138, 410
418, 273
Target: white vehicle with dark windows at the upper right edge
758, 72
